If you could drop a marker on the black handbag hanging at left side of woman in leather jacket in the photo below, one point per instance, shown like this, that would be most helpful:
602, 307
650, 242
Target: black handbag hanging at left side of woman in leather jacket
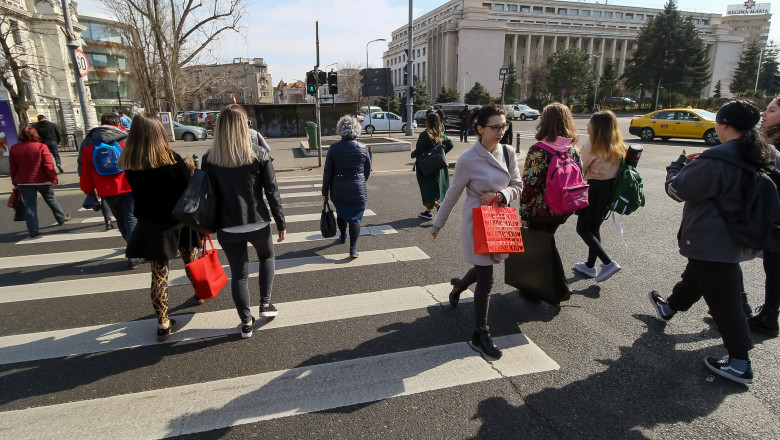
197, 206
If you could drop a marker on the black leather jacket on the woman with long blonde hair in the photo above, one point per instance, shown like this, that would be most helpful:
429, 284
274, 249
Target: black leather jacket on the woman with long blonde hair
239, 192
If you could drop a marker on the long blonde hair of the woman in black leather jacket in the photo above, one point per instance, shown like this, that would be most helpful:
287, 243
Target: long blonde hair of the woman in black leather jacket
232, 147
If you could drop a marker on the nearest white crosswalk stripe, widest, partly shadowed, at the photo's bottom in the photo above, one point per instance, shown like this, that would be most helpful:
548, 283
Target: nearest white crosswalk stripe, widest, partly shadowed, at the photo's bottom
201, 407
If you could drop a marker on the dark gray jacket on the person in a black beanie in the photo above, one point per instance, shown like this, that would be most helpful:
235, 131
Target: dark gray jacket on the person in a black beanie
703, 234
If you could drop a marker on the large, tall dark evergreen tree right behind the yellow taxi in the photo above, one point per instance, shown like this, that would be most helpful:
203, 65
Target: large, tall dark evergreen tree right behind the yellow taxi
670, 52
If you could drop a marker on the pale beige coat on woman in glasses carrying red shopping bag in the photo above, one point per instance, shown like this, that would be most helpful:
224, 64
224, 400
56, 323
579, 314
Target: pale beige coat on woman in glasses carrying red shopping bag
478, 172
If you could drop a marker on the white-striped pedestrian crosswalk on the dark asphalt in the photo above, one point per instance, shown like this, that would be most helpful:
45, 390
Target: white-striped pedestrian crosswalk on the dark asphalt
351, 297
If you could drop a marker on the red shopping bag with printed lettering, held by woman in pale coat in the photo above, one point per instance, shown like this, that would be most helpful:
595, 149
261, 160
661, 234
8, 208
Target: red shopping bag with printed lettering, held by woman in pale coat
496, 230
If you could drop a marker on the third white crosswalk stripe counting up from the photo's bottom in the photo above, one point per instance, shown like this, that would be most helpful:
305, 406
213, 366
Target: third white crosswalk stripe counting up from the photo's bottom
118, 283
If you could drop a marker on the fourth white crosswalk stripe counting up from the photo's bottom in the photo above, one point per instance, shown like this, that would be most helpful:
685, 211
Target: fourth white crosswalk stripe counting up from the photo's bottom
117, 253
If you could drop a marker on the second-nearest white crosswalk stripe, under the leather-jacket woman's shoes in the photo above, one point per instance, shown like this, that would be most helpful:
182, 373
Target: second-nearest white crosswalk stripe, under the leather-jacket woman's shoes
100, 338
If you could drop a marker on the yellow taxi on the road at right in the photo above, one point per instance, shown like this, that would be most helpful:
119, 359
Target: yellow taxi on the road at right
689, 123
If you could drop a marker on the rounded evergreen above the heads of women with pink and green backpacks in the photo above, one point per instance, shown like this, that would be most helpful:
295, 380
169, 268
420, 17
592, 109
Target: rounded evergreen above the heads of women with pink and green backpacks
569, 69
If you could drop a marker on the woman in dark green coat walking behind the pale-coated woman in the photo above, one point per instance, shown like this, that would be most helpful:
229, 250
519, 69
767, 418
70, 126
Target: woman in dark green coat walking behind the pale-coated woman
434, 187
